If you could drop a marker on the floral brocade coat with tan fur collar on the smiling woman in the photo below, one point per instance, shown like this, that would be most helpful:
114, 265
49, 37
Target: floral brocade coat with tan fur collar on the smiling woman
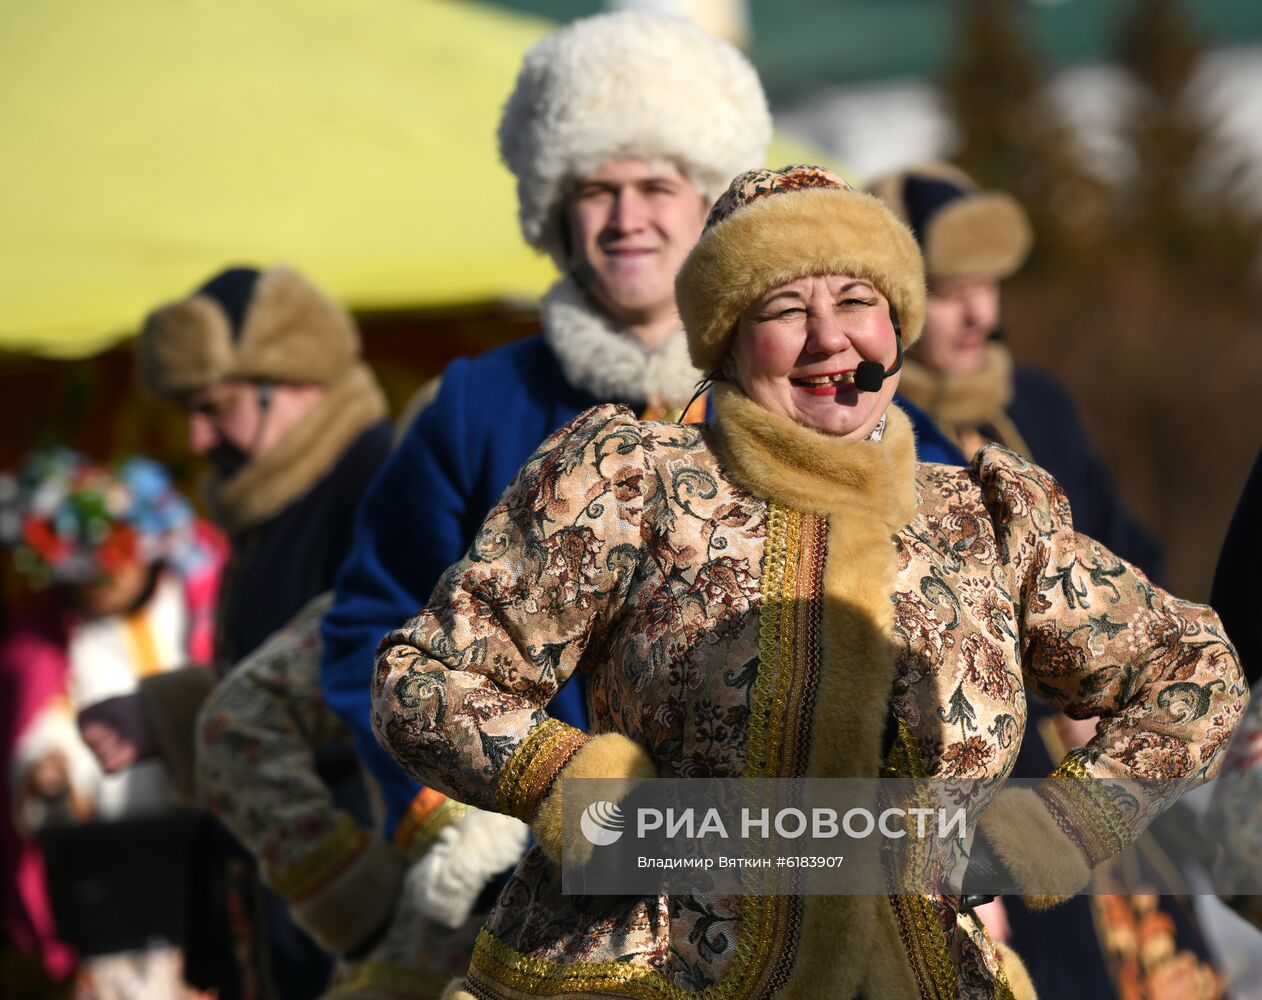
752, 599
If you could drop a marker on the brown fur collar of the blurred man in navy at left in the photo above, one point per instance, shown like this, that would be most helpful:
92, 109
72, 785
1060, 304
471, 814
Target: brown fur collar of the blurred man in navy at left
297, 461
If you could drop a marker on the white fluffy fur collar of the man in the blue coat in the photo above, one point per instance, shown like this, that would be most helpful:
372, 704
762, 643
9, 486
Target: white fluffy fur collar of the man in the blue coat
610, 364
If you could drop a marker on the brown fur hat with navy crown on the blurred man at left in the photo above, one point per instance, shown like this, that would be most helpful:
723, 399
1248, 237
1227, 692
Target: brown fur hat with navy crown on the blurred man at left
244, 324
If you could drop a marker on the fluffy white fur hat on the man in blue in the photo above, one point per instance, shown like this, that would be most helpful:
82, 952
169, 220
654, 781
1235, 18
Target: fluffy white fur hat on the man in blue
632, 84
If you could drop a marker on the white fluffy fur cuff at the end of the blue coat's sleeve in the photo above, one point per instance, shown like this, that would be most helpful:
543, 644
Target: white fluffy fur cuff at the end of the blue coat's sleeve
468, 857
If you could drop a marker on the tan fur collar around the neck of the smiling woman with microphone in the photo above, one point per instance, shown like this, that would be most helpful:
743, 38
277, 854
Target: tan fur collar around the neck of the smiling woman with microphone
815, 473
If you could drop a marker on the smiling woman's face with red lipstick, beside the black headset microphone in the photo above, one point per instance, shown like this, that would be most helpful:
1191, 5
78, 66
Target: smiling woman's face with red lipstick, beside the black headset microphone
797, 349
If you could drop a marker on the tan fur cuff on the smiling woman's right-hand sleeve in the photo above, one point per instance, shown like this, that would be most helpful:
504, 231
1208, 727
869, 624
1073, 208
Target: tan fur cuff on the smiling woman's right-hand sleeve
1046, 864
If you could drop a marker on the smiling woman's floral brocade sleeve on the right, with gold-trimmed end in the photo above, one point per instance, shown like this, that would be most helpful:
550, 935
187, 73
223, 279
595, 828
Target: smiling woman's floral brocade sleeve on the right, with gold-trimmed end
1100, 640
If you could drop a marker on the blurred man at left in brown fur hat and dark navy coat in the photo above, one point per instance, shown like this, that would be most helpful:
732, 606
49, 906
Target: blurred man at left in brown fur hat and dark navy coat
268, 371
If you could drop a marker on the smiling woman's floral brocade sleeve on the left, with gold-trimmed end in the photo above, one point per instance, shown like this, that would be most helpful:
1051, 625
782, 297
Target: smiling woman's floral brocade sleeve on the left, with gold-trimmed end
459, 693
